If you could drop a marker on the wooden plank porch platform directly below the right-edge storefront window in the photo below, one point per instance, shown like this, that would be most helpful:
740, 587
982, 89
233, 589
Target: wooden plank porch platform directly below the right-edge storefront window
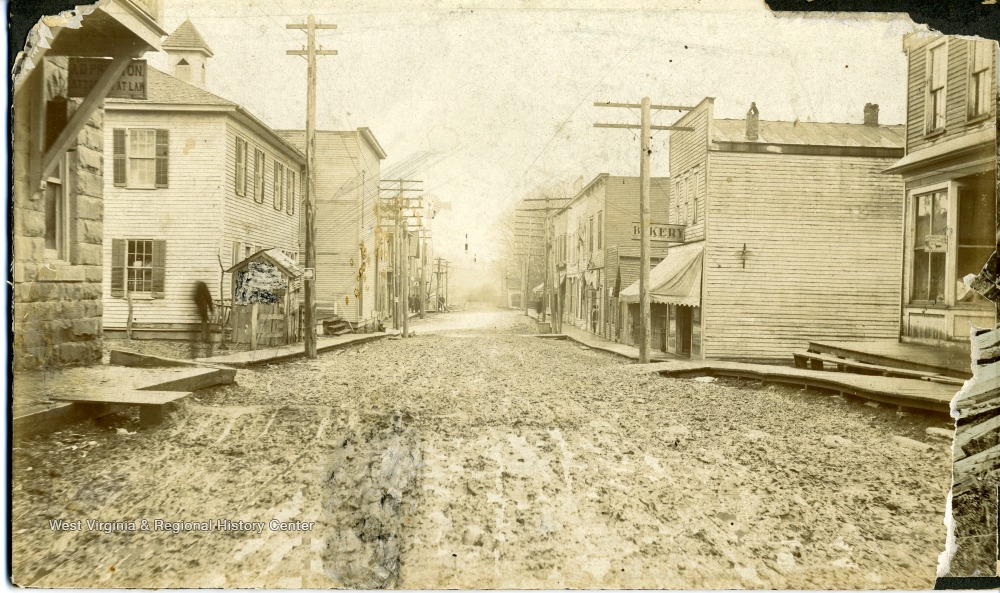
950, 360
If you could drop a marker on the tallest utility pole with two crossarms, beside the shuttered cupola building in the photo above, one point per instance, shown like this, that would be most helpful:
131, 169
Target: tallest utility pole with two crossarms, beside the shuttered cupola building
310, 211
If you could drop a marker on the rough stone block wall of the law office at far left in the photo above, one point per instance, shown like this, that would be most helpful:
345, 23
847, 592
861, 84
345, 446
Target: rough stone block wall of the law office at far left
57, 304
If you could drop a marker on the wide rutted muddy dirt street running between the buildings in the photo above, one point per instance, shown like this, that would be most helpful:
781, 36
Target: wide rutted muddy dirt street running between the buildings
476, 456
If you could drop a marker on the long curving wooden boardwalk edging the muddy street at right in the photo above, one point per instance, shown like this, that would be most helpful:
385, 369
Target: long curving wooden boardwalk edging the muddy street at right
912, 393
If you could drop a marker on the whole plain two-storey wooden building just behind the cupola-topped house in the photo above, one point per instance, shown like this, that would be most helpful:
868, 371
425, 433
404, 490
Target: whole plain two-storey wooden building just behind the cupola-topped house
350, 282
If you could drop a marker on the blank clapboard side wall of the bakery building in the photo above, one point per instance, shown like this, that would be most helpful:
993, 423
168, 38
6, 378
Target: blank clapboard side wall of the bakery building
824, 252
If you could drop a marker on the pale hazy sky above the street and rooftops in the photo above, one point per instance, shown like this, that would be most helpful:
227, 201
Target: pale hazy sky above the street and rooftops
498, 101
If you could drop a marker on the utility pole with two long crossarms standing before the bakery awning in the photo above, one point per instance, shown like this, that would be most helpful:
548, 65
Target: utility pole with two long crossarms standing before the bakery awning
645, 127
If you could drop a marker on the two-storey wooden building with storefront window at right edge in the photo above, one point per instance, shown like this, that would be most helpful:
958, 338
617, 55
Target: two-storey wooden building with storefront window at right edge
950, 176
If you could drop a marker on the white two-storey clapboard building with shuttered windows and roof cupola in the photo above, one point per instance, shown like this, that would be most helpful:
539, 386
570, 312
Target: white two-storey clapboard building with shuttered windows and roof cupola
195, 184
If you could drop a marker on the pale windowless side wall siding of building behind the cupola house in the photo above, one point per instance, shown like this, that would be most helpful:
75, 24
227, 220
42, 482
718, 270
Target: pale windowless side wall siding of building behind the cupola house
347, 184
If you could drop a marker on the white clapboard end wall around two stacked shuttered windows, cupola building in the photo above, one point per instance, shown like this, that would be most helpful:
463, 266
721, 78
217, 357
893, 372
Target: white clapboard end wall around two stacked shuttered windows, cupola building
188, 214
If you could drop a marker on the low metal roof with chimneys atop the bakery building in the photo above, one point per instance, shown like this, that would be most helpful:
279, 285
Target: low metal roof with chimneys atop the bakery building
801, 133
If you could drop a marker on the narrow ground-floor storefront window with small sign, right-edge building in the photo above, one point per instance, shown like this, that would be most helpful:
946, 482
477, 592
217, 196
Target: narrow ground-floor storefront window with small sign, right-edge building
930, 247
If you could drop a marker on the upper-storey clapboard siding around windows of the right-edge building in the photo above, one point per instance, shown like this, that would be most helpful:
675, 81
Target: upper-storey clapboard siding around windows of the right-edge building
957, 92
